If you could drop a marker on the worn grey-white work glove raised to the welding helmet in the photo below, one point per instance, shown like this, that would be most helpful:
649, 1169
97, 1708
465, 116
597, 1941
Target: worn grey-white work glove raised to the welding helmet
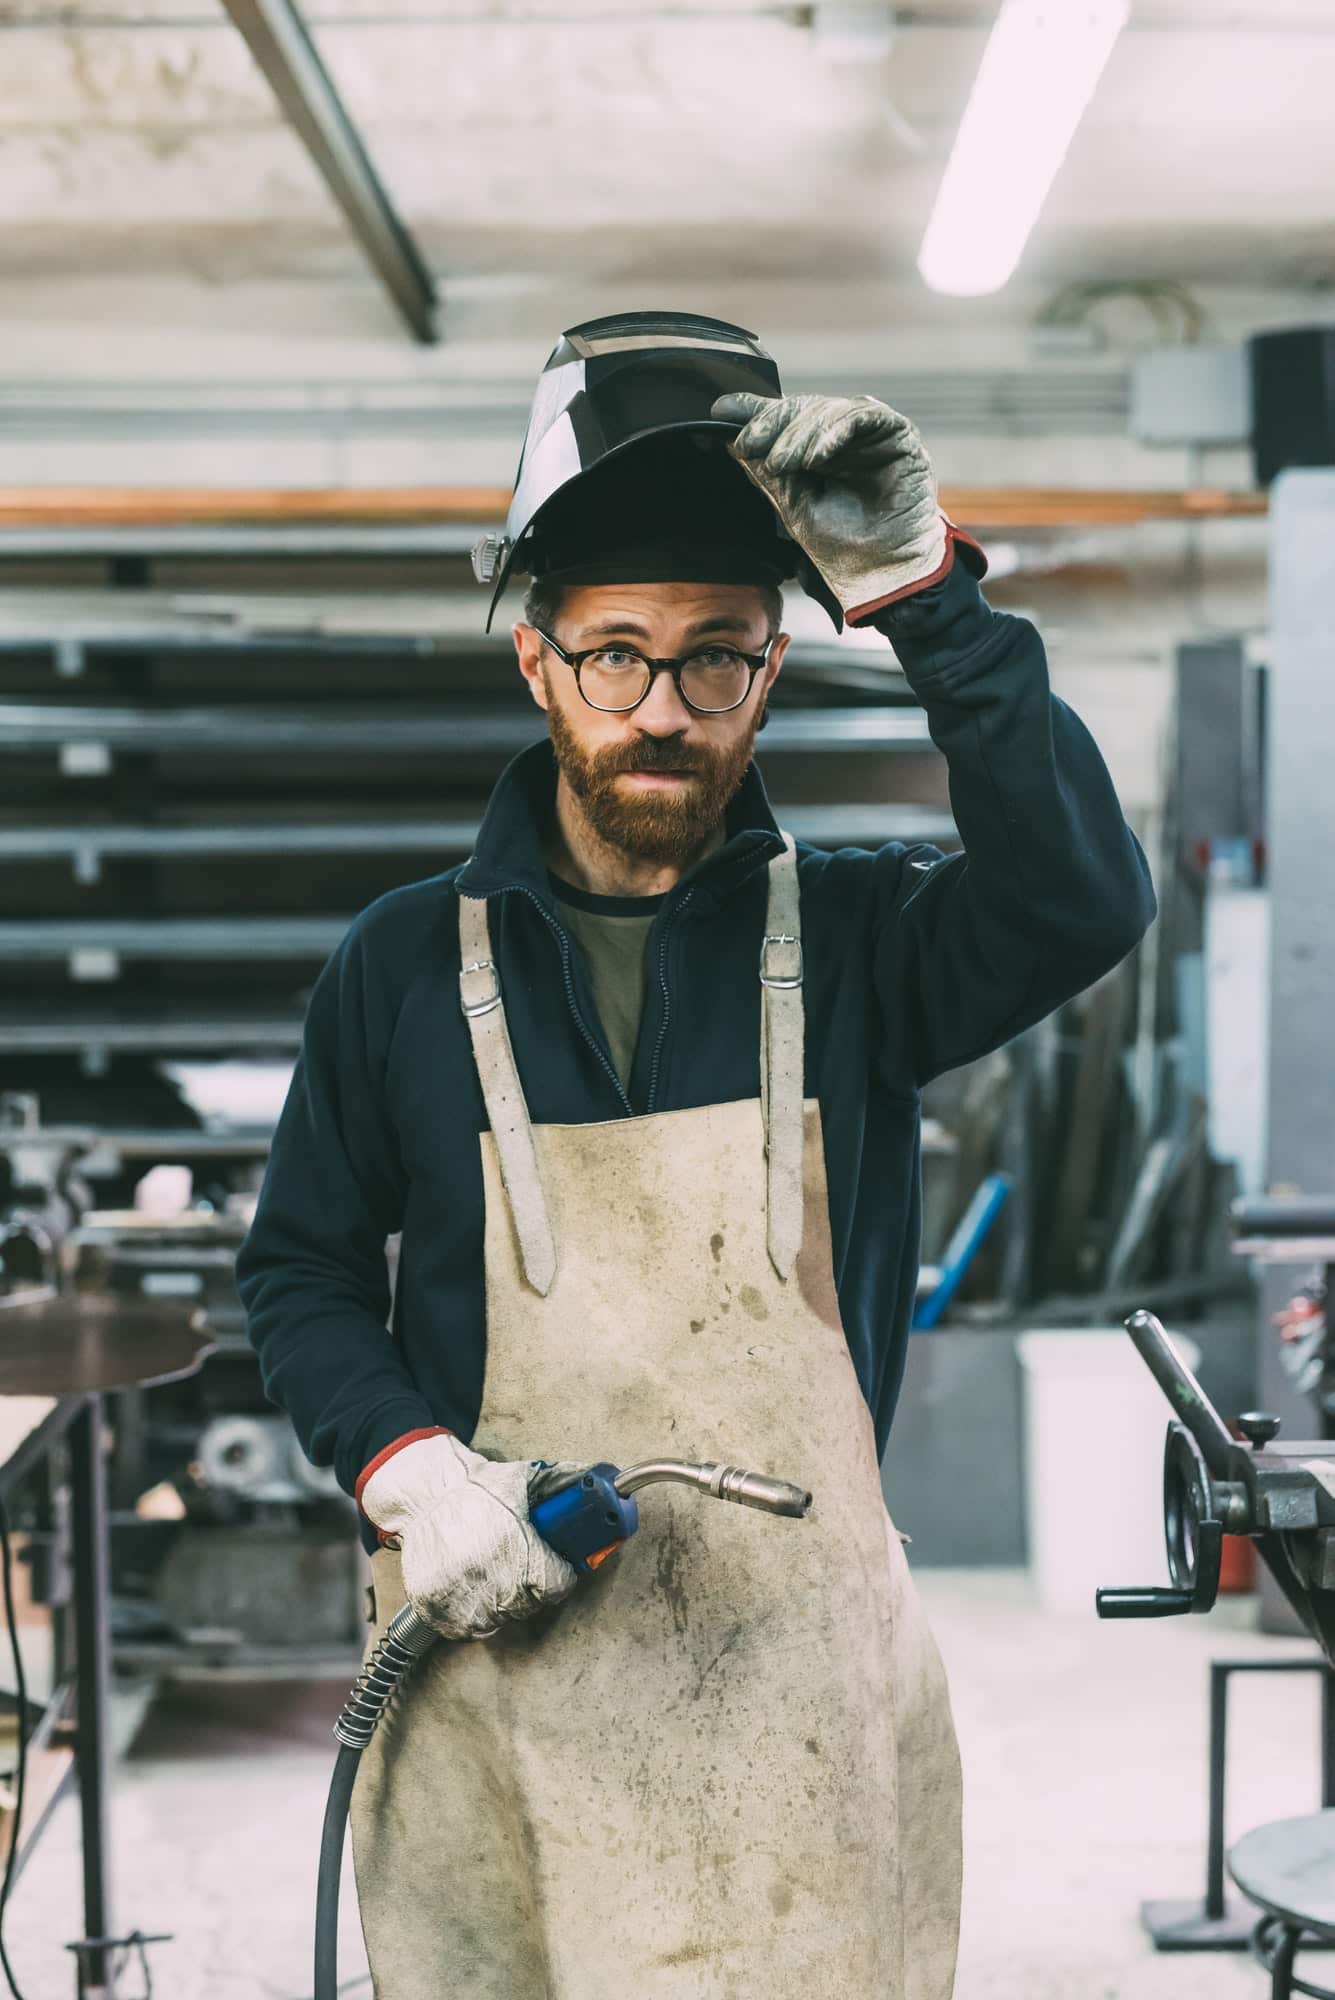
852, 485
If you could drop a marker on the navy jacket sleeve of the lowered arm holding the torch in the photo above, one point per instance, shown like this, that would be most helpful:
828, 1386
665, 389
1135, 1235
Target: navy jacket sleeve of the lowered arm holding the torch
313, 1271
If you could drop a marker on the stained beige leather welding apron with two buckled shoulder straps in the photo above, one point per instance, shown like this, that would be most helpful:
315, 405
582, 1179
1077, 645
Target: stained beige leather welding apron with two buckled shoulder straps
726, 1767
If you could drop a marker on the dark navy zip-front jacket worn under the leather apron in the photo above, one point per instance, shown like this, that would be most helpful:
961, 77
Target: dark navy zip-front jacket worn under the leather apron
914, 963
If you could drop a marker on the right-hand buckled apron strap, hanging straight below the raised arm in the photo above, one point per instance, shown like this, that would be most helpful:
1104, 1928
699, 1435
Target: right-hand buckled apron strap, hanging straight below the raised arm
782, 1057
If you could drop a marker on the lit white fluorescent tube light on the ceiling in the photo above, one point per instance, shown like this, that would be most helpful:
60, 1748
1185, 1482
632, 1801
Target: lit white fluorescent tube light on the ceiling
1040, 69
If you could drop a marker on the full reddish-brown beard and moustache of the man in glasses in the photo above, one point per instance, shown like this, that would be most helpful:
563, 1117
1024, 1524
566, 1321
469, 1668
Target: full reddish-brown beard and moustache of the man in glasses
661, 827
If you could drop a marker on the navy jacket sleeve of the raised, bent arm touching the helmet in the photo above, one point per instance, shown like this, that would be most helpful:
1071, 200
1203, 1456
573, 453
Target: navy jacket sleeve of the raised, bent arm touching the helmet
1052, 889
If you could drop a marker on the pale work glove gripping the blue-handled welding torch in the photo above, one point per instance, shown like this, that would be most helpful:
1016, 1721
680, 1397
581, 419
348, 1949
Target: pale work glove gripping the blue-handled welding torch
471, 1553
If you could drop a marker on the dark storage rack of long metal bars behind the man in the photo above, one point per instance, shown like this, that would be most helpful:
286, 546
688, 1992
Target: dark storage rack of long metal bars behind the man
207, 773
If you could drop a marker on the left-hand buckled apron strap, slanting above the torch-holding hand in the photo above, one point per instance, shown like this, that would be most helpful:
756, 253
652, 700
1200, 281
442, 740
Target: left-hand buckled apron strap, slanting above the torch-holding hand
503, 1093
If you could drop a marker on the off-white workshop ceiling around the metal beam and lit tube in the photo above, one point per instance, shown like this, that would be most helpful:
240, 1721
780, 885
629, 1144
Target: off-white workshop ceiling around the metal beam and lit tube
625, 141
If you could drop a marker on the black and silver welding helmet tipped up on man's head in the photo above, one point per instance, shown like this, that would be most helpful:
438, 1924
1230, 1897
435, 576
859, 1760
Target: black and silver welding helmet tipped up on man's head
625, 475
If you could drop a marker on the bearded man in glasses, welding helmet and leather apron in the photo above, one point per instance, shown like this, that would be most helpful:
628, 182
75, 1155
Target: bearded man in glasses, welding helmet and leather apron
655, 1203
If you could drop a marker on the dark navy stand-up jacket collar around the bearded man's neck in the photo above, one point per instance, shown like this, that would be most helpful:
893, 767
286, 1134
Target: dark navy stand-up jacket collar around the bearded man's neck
511, 839
